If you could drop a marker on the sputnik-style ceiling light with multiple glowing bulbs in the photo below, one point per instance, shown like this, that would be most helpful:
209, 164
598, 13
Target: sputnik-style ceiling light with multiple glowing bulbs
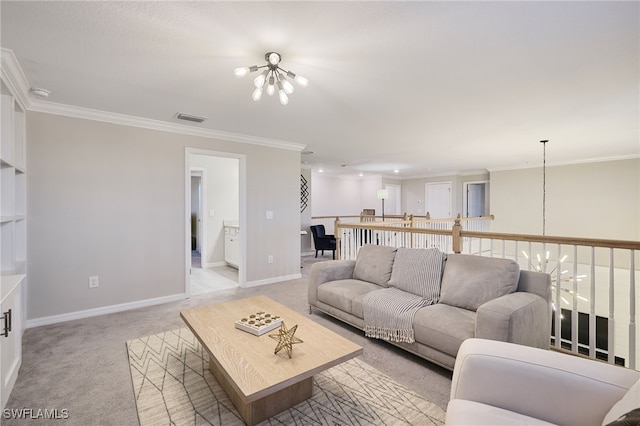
271, 77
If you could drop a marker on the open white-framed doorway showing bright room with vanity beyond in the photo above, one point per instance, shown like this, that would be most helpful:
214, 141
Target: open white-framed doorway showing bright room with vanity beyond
215, 188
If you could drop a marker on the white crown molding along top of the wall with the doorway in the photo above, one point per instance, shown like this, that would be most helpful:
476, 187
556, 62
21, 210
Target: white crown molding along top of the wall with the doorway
17, 82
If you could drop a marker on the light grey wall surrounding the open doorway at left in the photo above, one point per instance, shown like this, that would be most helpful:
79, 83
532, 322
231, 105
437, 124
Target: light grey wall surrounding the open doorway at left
109, 200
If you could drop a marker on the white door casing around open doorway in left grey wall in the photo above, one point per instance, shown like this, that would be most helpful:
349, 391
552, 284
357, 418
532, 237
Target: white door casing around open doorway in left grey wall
242, 212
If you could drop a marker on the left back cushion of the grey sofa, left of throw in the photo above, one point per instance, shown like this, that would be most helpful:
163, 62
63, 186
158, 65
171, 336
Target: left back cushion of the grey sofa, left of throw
374, 264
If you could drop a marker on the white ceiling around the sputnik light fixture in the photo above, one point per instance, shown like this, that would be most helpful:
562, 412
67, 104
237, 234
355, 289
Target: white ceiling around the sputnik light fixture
424, 87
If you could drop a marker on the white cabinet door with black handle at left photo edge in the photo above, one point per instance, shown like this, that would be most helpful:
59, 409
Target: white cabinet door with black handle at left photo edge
10, 346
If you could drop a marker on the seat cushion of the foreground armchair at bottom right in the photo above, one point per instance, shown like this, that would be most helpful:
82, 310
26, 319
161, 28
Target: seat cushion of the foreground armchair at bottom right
463, 412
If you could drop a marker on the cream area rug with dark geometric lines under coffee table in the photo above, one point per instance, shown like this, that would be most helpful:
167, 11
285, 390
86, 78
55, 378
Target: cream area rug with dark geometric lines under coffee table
173, 386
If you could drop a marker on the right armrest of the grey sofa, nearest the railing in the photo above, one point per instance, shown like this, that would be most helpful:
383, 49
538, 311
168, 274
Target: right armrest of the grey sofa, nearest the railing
520, 317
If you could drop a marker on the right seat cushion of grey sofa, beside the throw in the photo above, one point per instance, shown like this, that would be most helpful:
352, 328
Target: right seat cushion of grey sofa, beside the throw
444, 327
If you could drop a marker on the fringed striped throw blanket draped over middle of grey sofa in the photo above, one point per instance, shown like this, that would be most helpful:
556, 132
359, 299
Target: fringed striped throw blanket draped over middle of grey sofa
415, 283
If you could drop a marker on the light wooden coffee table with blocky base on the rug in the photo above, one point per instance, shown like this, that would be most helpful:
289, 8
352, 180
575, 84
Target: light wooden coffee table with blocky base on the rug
259, 383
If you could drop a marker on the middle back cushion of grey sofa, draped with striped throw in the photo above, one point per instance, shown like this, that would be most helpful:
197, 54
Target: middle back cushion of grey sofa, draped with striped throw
418, 271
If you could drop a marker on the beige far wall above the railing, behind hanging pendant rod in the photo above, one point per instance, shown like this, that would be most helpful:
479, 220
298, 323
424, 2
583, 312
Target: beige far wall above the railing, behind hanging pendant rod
591, 200
